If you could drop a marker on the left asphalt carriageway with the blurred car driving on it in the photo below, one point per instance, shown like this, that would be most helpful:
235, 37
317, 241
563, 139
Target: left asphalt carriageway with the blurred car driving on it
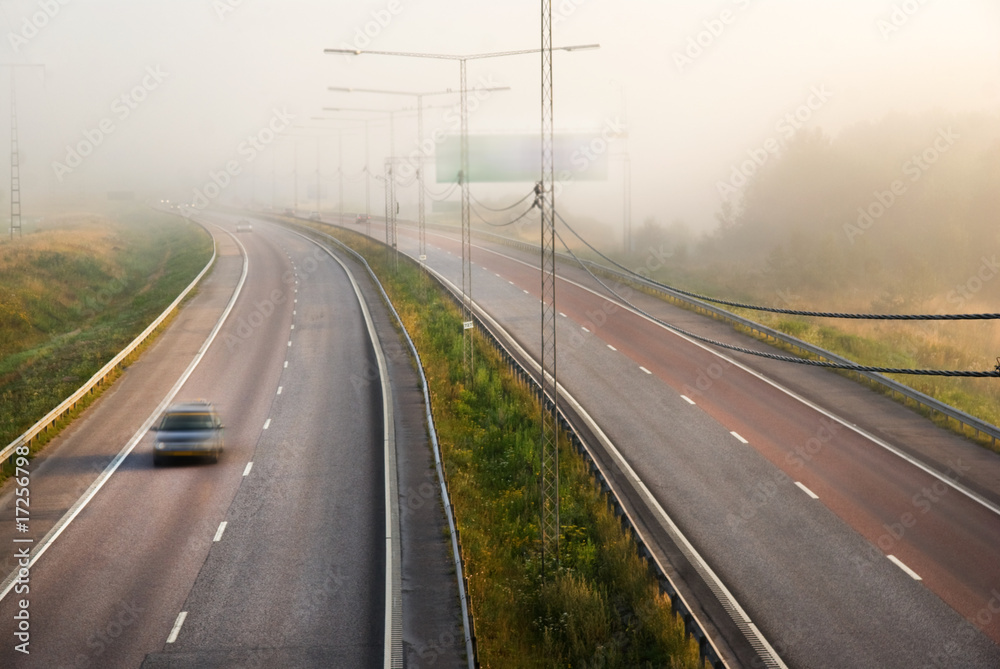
276, 554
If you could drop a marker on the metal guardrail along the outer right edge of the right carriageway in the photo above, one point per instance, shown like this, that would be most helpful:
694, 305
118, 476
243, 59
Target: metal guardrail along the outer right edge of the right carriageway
977, 425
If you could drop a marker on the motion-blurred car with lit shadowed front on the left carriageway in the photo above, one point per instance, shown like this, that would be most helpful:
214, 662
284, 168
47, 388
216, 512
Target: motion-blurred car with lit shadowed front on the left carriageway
188, 430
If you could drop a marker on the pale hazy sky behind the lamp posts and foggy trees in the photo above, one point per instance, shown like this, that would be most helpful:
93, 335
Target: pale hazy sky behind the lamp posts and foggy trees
700, 83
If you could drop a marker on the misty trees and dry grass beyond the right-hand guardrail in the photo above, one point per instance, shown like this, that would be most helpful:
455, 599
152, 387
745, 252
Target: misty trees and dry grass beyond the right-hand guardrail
894, 216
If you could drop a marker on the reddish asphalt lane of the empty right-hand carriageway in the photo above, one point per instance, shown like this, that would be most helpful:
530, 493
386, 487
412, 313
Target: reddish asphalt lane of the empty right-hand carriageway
949, 540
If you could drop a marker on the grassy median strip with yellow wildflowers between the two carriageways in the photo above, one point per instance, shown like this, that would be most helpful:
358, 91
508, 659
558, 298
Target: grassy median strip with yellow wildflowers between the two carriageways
603, 608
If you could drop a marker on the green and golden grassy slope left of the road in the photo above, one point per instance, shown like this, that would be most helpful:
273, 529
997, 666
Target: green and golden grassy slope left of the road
75, 292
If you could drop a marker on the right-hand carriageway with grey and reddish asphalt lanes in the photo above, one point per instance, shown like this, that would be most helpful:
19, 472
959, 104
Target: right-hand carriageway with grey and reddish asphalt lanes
737, 459
